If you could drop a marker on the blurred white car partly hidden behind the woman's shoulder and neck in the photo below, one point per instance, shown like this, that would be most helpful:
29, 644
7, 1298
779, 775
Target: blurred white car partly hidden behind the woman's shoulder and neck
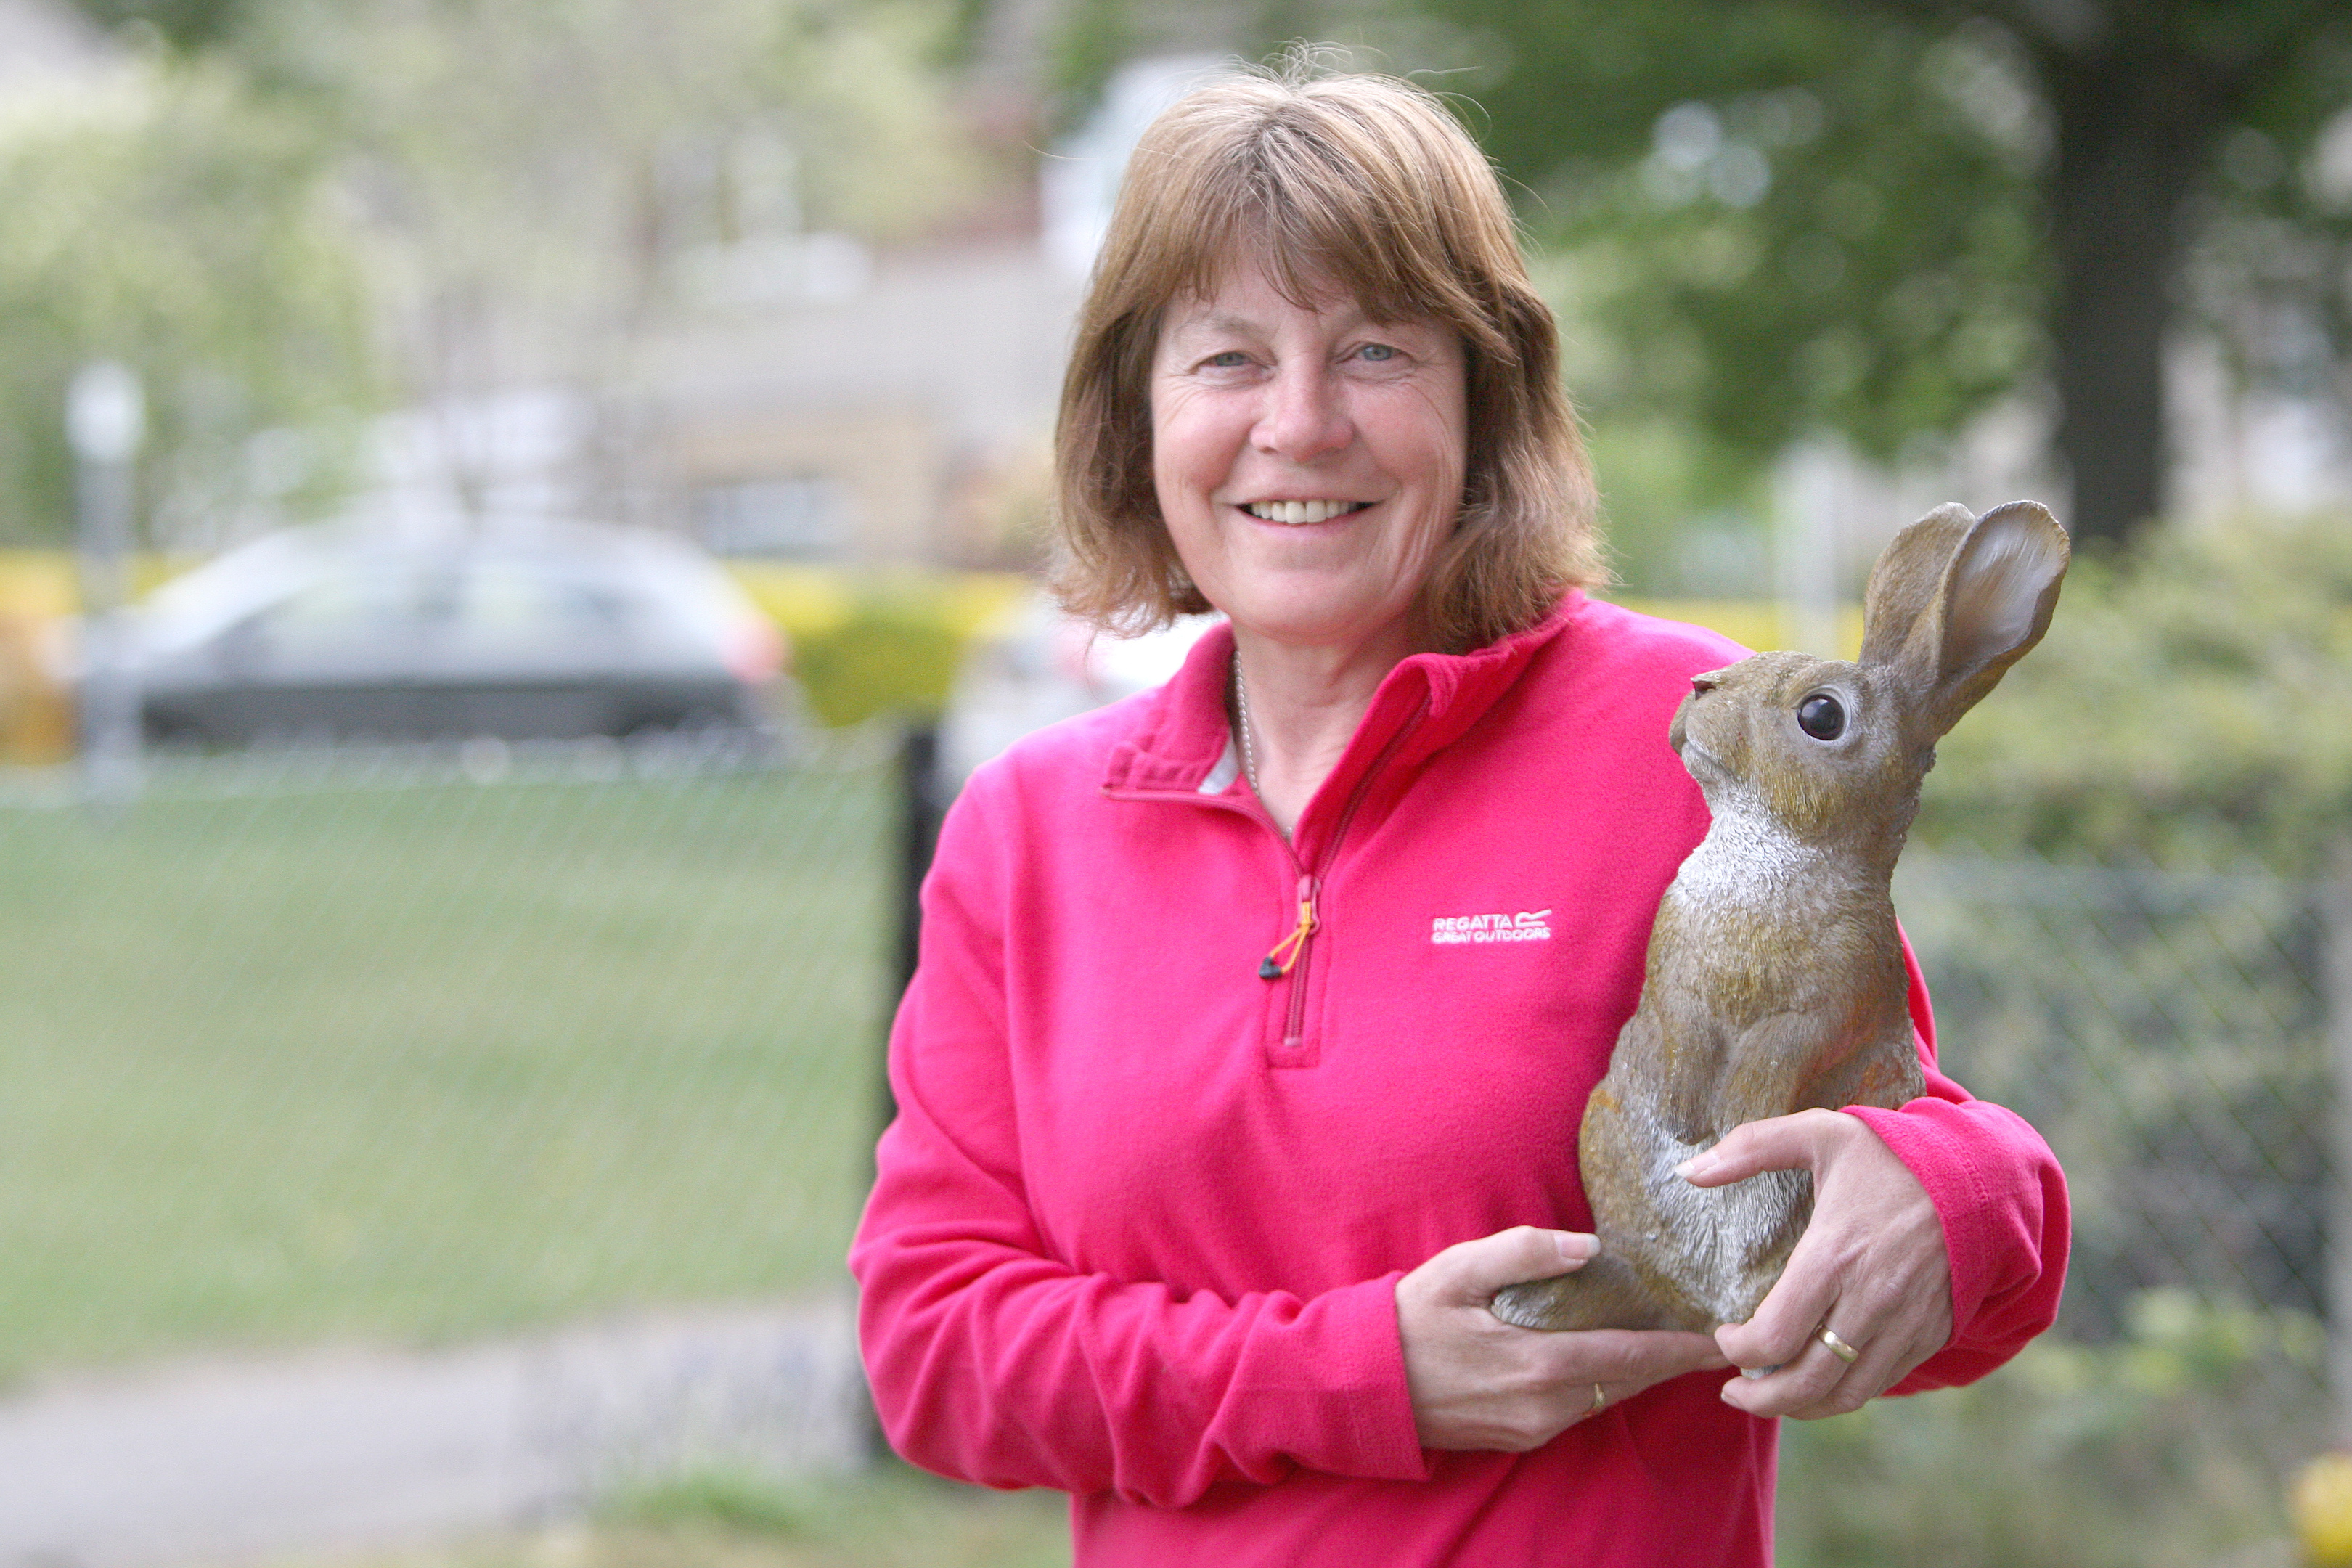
1041, 666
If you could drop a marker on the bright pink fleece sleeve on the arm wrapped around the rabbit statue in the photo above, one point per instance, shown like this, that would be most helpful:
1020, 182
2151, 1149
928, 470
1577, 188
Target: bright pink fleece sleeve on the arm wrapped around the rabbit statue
2003, 1202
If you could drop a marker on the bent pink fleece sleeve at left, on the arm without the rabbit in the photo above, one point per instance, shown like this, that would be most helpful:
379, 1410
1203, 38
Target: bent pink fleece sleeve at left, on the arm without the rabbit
996, 1362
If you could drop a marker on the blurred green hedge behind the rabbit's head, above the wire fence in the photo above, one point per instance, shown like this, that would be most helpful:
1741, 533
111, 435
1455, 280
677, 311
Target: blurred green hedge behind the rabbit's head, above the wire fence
2193, 702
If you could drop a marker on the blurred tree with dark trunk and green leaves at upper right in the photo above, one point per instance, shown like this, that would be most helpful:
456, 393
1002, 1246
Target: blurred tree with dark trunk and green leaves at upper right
1880, 217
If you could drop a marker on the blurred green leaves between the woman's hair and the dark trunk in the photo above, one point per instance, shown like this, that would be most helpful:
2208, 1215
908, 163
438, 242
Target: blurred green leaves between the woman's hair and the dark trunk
1784, 217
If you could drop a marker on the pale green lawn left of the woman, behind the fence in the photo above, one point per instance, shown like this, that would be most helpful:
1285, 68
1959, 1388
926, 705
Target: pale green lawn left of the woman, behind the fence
432, 1064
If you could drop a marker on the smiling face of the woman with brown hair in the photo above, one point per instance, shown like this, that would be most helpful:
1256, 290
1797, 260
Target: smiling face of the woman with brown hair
1309, 460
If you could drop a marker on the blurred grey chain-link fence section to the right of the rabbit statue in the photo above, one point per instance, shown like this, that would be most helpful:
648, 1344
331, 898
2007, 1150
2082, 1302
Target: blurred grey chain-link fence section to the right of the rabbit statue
2167, 1036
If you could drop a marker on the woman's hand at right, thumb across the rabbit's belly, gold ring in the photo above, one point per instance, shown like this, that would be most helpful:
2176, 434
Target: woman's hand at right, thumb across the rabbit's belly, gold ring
1871, 1268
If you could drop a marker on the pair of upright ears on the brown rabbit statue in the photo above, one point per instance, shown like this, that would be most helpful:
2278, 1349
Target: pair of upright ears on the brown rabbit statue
1958, 601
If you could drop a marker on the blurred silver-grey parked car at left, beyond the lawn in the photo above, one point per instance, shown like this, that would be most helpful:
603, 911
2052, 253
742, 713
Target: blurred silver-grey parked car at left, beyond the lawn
519, 631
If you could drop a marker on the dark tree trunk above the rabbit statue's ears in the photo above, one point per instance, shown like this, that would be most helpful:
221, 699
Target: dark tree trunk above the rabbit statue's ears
2134, 128
